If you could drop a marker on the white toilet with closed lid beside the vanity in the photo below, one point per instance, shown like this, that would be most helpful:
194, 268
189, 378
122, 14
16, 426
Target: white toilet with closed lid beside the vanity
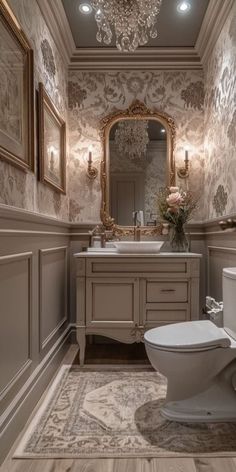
199, 361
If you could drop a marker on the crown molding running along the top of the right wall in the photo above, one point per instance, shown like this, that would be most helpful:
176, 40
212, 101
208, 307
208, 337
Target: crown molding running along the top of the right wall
213, 22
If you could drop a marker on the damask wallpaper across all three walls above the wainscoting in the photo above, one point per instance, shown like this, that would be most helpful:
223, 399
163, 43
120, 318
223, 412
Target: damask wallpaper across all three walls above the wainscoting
205, 125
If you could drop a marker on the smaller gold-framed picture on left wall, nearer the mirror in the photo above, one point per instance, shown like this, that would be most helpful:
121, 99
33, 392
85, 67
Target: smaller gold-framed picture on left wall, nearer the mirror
52, 148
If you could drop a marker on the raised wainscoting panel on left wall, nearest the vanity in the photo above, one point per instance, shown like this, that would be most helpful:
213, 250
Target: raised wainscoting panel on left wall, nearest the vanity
53, 269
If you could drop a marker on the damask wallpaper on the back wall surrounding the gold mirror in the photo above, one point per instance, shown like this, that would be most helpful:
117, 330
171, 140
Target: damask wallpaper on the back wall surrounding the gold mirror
93, 95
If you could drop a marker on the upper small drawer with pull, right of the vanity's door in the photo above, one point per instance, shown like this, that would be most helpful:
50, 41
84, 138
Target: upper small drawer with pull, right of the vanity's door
157, 292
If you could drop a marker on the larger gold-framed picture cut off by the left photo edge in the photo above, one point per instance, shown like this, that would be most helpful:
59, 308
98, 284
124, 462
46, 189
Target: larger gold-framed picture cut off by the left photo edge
16, 92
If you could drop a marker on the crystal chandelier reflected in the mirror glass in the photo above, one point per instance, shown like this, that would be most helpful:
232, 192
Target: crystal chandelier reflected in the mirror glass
131, 138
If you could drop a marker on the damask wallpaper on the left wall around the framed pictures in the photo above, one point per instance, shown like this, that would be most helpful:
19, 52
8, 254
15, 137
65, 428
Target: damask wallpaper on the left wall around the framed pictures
18, 188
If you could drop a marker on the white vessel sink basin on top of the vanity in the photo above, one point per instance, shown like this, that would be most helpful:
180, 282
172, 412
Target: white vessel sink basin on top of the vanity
138, 247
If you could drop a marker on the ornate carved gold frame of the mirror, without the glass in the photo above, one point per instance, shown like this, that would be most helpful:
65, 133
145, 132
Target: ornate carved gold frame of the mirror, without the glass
136, 111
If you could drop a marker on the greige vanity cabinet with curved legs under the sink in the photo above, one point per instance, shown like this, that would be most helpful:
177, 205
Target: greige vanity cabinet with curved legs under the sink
121, 296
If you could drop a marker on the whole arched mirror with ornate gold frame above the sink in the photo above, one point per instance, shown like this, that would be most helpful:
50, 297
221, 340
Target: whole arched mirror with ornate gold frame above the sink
137, 161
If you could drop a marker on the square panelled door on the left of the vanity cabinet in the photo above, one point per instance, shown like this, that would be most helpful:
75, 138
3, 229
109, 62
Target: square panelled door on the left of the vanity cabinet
112, 302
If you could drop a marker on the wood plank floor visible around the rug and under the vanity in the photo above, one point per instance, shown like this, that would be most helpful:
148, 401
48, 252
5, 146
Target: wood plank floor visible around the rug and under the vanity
100, 354
